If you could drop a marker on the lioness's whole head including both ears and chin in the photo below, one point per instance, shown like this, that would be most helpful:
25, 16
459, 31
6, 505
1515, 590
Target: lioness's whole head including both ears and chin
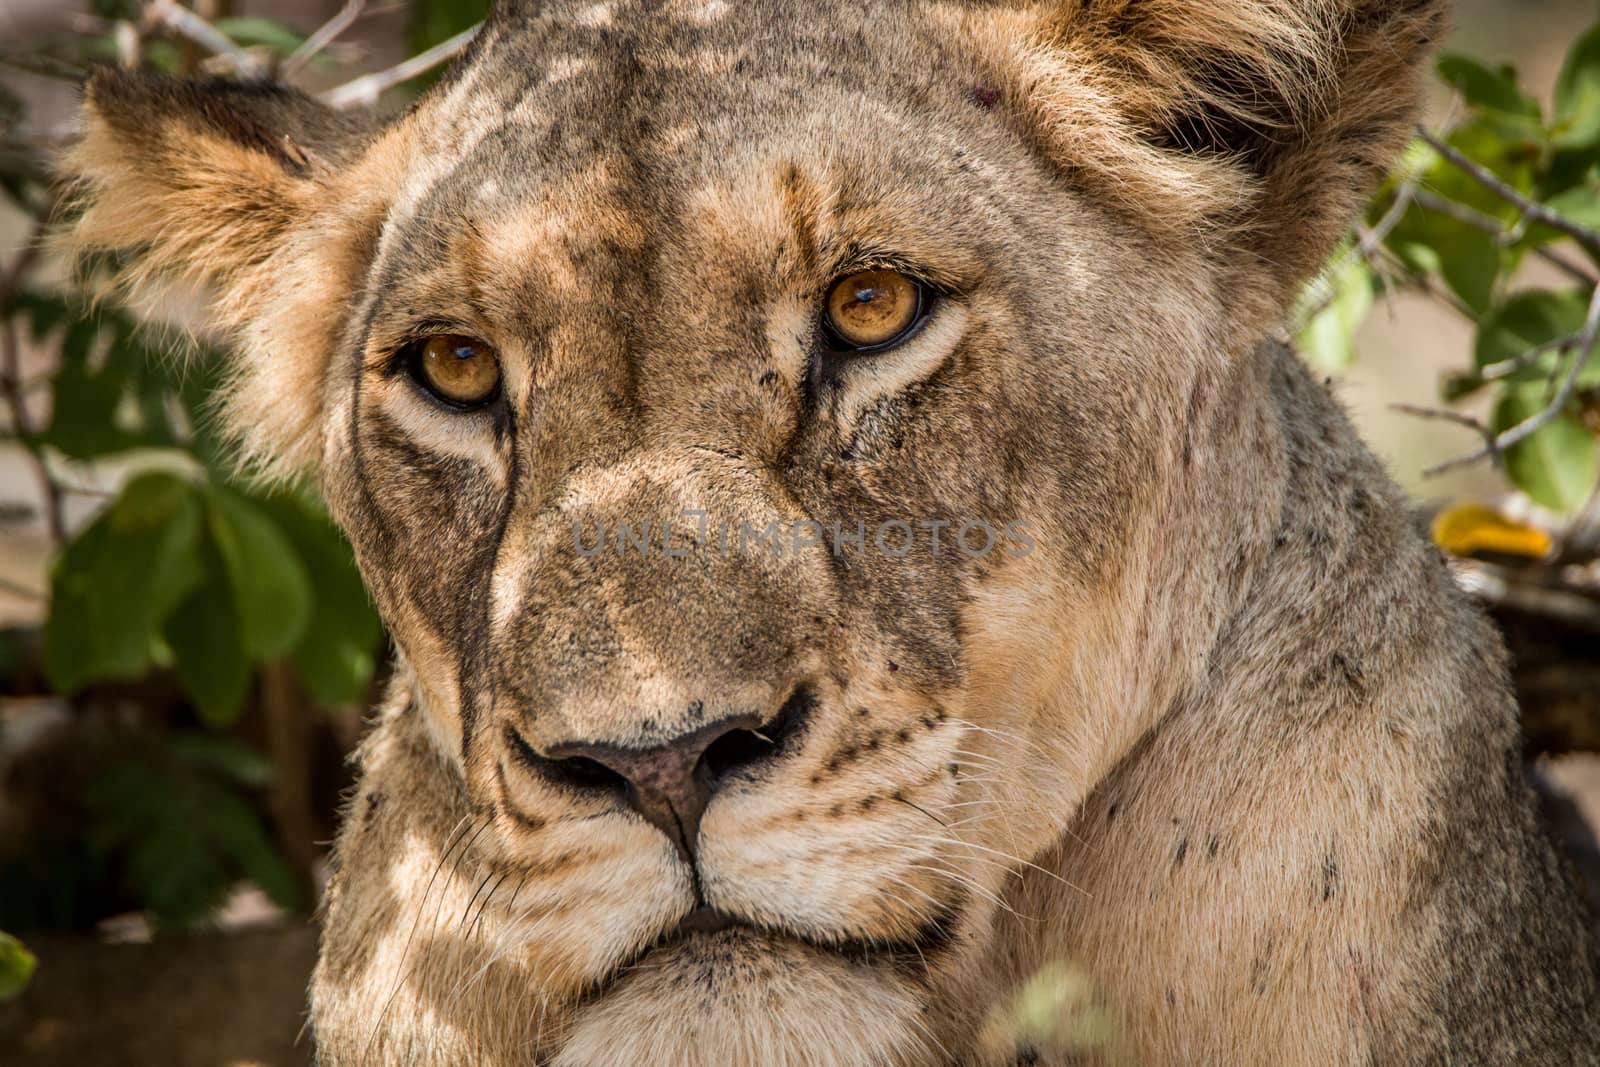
762, 428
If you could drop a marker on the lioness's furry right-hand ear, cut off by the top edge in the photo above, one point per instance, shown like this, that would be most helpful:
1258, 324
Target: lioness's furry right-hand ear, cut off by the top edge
1258, 127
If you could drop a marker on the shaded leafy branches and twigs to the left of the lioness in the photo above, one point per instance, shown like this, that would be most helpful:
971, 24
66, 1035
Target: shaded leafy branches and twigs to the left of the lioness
188, 609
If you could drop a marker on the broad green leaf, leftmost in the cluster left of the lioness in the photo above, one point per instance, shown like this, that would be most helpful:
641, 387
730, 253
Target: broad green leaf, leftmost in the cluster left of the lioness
119, 580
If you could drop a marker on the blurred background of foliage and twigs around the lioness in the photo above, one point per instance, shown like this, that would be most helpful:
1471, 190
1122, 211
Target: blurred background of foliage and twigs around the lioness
186, 658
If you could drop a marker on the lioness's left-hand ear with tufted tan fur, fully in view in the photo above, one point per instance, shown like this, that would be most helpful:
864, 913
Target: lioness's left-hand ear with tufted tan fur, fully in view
230, 188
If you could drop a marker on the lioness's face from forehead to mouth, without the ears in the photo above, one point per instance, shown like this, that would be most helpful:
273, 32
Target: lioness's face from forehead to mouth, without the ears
702, 594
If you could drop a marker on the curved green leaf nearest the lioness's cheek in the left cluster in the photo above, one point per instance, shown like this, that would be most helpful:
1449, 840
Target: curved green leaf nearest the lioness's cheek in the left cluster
338, 653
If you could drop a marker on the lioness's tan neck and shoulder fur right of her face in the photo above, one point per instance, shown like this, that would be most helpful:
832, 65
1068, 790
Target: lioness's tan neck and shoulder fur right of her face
1303, 692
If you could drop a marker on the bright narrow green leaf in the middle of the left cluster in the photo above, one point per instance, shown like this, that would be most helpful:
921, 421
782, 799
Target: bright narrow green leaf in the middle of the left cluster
270, 585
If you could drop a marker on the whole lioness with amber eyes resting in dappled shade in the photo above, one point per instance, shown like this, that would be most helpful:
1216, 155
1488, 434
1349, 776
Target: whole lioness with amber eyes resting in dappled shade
858, 545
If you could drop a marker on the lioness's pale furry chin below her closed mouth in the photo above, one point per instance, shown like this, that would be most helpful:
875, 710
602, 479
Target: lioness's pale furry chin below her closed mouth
746, 997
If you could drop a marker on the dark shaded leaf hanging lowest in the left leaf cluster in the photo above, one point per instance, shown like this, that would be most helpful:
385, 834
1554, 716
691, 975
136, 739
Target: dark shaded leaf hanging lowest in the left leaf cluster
209, 652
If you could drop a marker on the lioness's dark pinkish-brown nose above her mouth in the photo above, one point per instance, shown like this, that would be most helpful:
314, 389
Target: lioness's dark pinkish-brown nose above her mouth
671, 785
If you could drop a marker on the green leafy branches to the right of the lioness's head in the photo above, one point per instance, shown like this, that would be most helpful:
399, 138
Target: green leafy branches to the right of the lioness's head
1510, 182
